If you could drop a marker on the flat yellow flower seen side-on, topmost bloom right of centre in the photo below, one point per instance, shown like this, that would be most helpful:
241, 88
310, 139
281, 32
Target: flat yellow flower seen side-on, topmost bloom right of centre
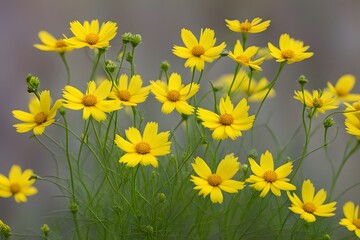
255, 26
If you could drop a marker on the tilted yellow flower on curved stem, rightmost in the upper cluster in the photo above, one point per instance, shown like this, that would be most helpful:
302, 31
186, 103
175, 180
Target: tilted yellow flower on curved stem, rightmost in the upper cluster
290, 50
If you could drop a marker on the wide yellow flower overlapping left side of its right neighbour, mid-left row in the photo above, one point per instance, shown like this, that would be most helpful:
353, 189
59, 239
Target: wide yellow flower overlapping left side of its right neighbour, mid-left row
94, 102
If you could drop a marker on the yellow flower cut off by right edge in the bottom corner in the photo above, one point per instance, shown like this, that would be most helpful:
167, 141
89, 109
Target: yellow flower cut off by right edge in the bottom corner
351, 220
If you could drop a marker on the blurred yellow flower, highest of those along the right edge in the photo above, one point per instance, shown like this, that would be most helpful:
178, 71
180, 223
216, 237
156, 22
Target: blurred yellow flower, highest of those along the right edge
342, 88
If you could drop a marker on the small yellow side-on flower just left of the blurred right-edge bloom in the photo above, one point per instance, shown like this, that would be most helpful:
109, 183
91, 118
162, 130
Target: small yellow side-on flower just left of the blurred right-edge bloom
319, 101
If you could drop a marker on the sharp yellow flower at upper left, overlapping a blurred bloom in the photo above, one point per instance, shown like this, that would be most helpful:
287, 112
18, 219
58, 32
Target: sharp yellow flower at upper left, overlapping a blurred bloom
89, 34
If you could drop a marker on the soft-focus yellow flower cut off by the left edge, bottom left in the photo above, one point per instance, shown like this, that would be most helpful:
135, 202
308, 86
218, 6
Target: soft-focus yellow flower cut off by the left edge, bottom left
18, 184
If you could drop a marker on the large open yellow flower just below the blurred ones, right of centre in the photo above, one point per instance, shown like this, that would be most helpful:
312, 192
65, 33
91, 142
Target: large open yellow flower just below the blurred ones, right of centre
230, 122
